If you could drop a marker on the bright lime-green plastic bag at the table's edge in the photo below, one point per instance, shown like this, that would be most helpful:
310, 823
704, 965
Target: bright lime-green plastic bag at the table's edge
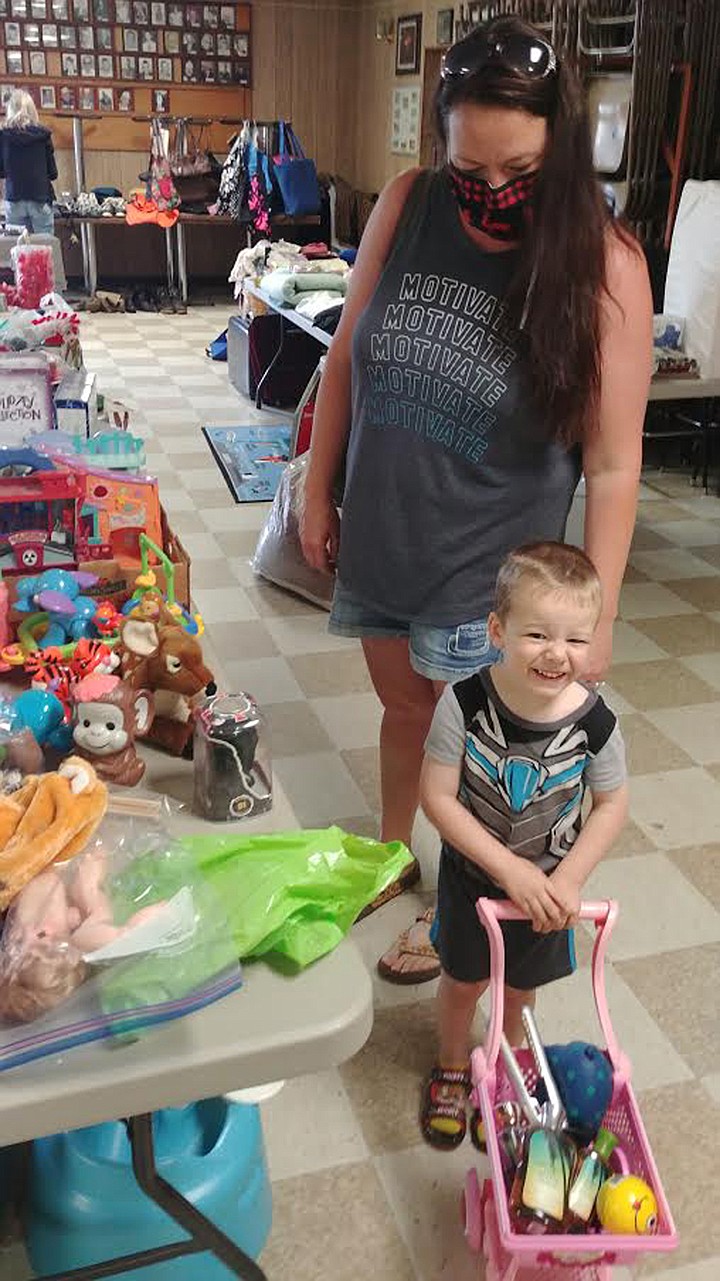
293, 896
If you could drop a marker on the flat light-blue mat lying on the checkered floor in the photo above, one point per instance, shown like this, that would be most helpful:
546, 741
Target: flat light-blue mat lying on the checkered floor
252, 459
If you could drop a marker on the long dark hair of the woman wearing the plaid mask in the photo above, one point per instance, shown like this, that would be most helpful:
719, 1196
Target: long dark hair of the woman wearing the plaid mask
558, 291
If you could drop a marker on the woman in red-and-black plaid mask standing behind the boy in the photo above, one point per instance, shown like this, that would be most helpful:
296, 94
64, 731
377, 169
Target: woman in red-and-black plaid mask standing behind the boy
496, 343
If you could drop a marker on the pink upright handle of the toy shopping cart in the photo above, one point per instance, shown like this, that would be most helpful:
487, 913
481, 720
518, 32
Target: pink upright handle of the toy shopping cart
604, 914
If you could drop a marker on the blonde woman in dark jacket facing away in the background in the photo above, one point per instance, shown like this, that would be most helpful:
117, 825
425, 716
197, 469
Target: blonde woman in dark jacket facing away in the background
28, 165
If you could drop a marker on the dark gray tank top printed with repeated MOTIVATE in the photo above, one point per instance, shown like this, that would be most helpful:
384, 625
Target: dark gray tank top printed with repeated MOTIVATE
449, 466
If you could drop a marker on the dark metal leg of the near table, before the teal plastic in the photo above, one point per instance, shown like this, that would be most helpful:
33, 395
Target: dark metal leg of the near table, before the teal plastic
203, 1234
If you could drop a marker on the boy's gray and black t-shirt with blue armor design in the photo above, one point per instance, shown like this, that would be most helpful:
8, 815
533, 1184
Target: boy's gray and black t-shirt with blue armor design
525, 781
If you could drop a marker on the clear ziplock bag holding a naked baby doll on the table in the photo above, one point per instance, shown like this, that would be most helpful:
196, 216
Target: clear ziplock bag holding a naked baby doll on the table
124, 937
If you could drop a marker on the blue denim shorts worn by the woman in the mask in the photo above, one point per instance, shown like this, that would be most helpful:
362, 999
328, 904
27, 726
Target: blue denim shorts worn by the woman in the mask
439, 654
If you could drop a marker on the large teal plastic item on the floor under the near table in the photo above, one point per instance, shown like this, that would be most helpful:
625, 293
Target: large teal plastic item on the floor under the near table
85, 1205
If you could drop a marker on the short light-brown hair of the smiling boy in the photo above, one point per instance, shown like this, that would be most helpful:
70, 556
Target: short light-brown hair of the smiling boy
548, 568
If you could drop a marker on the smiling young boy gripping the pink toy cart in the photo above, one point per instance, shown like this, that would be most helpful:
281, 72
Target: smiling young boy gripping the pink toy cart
508, 762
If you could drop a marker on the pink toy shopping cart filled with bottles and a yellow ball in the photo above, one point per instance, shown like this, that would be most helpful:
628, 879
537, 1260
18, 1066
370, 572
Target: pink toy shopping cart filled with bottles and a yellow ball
573, 1188
